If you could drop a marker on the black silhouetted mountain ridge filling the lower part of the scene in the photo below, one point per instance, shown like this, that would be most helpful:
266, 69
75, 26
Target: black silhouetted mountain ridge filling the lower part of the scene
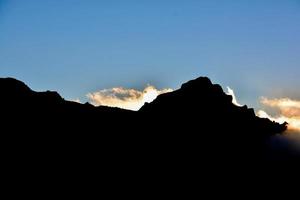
50, 144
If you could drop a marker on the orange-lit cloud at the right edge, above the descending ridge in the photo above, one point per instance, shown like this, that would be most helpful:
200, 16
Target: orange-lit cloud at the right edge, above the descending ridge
288, 111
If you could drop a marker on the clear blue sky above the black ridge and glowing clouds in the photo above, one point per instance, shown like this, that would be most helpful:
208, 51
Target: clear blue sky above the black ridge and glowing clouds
80, 46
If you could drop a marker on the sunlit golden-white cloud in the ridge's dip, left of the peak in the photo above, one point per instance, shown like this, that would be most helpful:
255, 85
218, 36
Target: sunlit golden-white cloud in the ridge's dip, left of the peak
125, 98
